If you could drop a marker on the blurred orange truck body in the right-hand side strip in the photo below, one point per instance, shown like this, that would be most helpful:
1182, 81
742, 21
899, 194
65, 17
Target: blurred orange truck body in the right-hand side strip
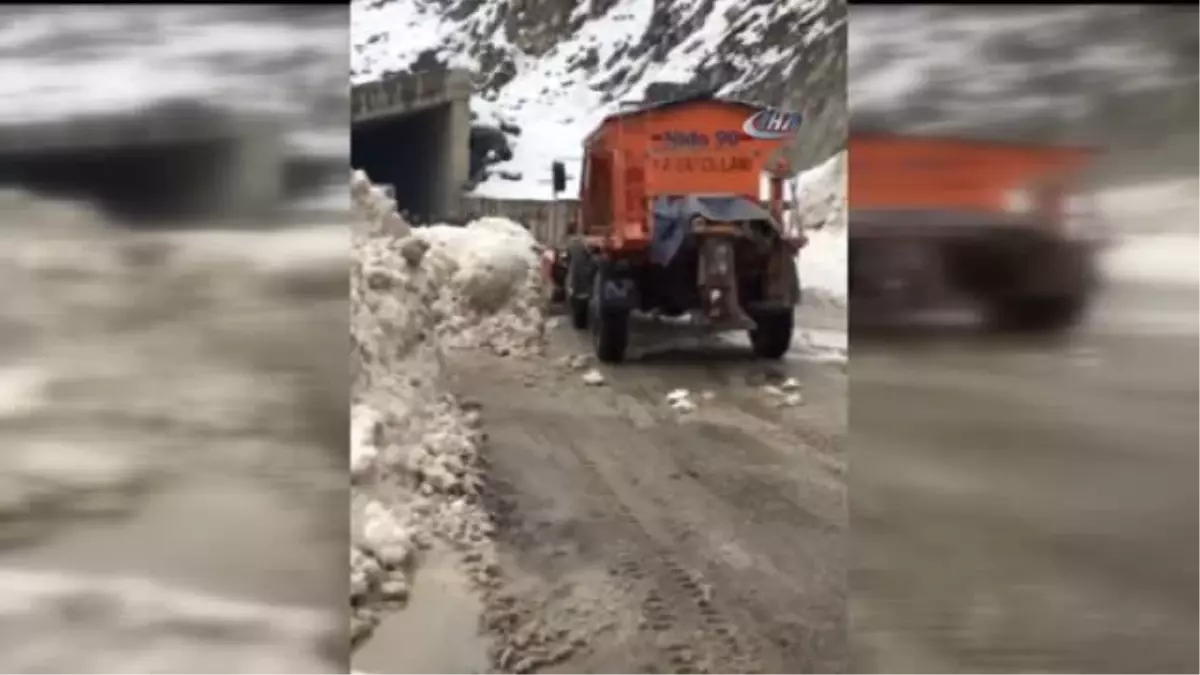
896, 172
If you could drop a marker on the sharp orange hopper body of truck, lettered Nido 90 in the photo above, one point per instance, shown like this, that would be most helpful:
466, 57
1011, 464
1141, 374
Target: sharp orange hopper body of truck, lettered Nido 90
685, 148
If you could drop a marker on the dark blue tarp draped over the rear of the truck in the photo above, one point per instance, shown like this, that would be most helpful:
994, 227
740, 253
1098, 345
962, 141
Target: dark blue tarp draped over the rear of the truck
674, 217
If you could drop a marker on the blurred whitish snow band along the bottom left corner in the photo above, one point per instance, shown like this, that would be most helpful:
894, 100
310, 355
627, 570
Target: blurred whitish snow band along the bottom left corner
67, 624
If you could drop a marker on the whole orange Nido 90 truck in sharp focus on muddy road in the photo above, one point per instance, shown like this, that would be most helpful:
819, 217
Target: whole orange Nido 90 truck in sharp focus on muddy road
681, 214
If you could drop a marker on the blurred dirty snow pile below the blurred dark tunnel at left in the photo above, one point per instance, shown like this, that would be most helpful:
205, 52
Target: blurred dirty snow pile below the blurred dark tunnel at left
91, 312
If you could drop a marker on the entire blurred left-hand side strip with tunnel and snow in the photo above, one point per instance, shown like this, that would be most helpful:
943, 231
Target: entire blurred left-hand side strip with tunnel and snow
173, 377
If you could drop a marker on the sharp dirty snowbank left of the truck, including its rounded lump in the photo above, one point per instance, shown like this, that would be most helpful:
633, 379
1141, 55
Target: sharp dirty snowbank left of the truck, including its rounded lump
415, 449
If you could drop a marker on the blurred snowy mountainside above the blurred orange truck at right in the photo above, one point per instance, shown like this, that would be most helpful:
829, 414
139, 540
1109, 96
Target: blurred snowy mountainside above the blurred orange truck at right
1123, 76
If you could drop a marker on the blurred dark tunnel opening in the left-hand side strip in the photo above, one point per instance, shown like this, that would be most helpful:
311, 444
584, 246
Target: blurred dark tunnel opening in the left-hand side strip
145, 187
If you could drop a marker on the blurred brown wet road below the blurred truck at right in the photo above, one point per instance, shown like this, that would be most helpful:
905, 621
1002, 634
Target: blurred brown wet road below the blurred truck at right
1031, 509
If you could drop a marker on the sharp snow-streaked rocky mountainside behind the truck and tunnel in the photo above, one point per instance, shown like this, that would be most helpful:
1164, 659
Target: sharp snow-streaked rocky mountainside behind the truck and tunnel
549, 70
